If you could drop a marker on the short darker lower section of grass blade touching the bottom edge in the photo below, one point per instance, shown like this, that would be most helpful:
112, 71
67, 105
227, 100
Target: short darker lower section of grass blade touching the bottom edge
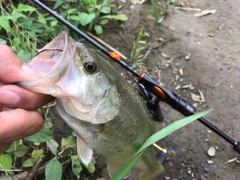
127, 167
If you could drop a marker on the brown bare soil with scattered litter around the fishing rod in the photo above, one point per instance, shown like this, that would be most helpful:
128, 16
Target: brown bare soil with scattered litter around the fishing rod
190, 55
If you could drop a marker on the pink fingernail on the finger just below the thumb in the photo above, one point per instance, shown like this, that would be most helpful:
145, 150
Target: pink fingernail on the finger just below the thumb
8, 97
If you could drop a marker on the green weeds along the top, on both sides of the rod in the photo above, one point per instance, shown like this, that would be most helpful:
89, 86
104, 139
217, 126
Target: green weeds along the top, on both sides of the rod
24, 28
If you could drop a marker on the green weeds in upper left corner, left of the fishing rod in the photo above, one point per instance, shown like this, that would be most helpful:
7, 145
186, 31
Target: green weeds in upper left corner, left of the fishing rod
25, 28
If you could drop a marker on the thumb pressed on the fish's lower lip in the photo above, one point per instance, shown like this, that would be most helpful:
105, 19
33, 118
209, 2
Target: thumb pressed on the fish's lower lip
9, 62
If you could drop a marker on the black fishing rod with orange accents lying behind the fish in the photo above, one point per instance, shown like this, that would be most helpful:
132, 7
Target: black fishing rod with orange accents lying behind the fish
151, 85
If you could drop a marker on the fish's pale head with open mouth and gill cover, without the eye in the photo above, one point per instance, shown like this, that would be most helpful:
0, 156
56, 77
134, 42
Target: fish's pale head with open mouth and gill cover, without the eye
87, 97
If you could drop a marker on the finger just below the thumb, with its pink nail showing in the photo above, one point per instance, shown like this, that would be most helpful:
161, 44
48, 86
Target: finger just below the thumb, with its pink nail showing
15, 96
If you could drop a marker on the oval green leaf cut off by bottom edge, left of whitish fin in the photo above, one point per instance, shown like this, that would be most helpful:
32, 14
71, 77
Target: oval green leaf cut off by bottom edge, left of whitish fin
53, 170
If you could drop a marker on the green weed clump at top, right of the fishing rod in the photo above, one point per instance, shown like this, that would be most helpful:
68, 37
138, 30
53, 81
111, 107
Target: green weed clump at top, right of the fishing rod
88, 13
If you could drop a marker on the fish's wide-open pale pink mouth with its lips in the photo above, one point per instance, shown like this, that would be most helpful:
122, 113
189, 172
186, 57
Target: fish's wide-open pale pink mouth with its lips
50, 65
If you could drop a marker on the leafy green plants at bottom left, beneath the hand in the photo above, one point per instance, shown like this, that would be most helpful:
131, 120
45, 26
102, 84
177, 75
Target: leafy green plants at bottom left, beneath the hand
24, 154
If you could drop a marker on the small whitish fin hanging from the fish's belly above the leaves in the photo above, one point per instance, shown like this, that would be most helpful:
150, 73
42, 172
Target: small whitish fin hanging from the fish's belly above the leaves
84, 151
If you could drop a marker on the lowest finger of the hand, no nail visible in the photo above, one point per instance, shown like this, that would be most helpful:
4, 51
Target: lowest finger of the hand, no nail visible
18, 123
